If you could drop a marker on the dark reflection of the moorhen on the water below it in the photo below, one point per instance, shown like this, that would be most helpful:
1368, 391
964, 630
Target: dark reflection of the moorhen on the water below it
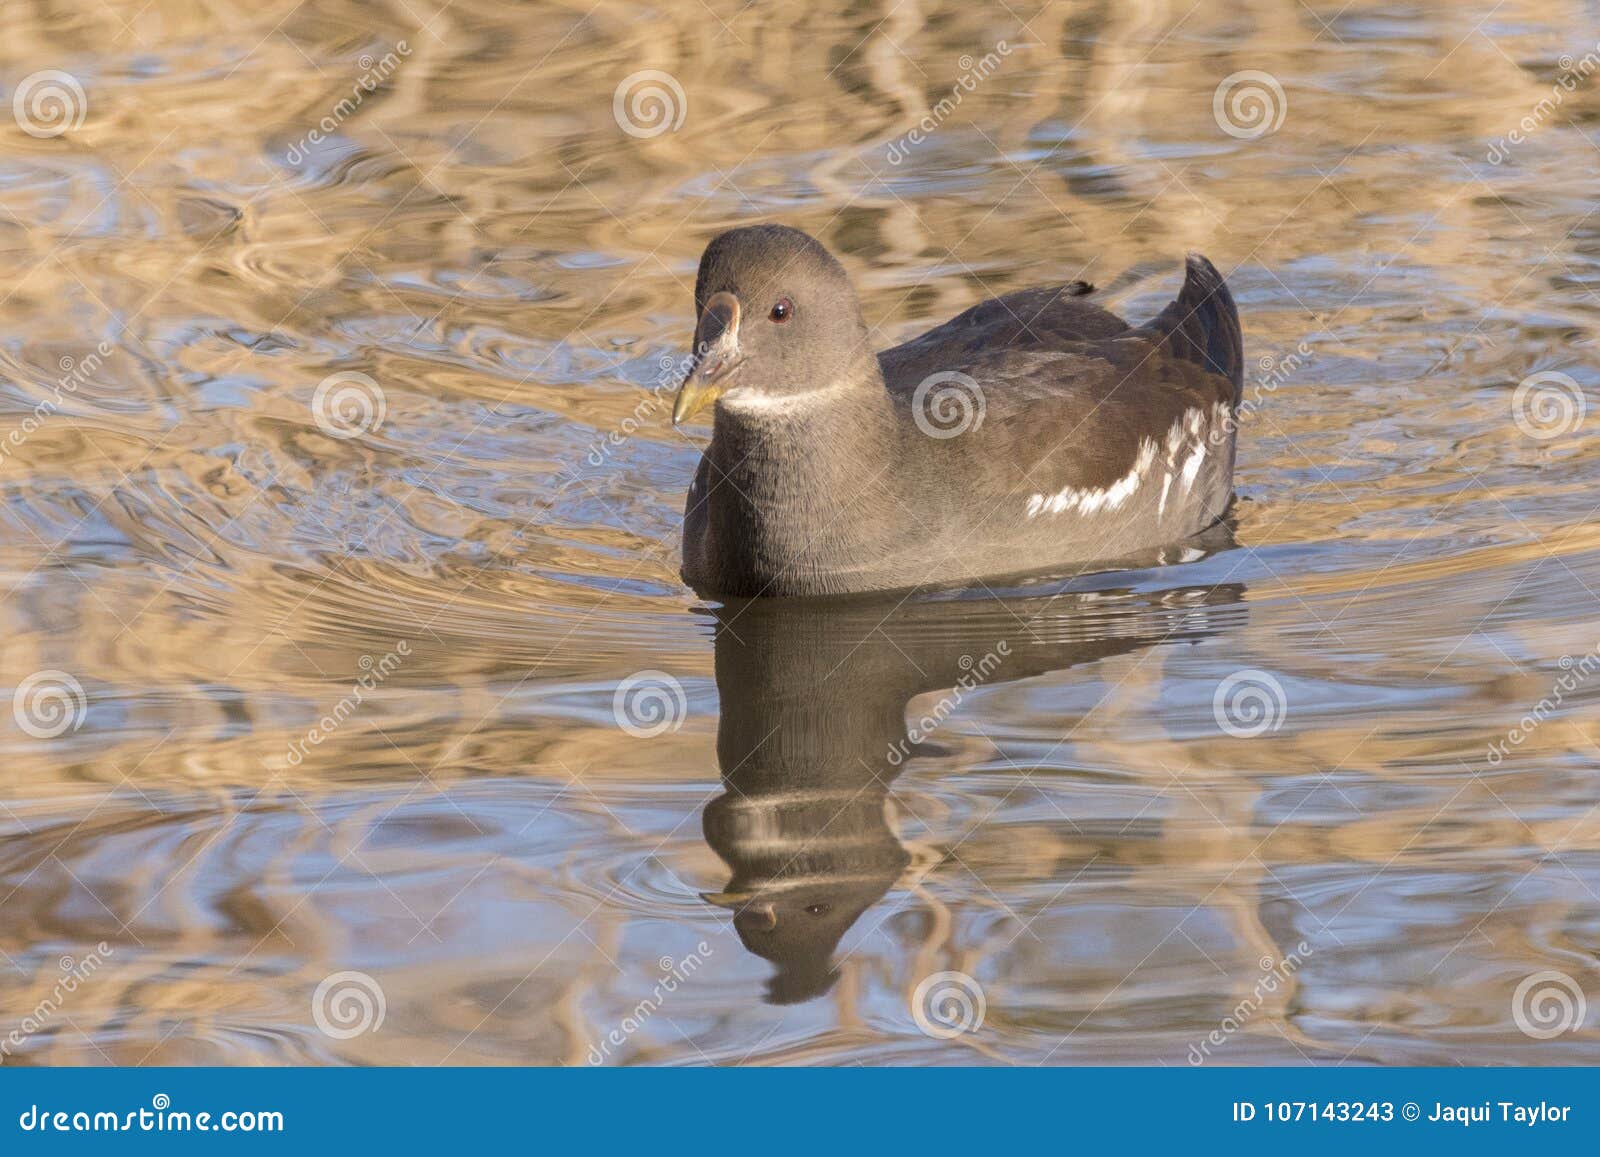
815, 731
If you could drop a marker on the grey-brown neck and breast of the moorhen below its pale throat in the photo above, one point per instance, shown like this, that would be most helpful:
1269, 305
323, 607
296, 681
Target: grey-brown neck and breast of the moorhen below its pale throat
786, 471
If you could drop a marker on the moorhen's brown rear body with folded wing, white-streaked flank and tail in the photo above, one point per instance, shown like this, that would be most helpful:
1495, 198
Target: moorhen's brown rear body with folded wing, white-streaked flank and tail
1042, 428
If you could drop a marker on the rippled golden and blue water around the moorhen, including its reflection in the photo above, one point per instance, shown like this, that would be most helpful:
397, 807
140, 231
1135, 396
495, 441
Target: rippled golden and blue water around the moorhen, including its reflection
430, 703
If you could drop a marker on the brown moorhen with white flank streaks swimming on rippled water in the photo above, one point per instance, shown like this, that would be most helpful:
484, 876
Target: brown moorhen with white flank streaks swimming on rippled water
1031, 433
